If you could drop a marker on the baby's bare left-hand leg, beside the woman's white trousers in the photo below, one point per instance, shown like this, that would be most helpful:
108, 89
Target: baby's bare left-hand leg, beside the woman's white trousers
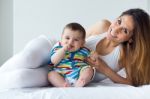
57, 80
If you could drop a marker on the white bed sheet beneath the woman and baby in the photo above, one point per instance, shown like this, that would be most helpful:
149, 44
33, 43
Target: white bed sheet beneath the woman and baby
100, 90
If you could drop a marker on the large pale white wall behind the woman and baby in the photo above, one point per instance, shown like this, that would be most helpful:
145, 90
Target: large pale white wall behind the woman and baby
35, 17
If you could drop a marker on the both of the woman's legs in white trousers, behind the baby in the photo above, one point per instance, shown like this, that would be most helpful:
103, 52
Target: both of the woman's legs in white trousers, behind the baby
23, 69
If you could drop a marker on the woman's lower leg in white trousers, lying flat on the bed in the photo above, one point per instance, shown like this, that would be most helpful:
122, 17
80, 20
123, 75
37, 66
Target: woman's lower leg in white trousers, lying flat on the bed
20, 78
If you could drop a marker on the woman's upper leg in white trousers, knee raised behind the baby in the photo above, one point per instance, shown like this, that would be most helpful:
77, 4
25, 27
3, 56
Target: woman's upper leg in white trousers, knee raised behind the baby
35, 54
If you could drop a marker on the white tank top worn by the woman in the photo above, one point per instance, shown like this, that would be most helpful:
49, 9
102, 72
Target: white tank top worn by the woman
110, 59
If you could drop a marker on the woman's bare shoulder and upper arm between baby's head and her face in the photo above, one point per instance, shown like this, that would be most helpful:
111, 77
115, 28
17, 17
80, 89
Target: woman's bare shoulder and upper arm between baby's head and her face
99, 27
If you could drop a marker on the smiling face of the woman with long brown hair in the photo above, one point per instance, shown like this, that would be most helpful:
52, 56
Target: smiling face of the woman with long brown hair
121, 29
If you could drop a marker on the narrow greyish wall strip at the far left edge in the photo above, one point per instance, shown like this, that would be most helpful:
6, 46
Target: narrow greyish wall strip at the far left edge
6, 30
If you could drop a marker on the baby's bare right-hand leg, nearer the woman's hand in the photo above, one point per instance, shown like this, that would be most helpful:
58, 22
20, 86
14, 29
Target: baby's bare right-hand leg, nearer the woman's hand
85, 77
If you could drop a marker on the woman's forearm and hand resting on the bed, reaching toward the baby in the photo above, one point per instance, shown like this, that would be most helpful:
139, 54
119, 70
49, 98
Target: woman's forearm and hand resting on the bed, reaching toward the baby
102, 67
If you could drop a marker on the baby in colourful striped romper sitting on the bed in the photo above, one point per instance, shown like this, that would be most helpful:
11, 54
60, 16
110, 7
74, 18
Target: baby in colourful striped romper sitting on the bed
67, 56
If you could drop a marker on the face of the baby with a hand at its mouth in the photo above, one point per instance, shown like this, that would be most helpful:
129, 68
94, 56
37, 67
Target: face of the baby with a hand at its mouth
73, 39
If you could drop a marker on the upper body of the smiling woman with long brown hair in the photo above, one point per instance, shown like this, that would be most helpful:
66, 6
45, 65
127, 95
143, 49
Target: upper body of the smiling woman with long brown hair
125, 45
